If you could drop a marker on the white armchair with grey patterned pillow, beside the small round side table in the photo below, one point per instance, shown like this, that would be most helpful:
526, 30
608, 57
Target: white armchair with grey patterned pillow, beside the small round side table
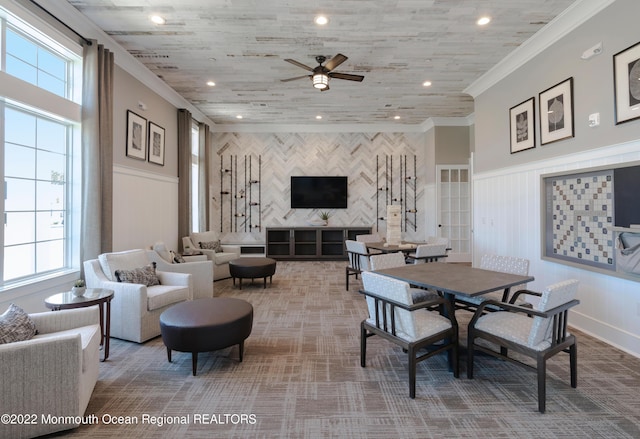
136, 307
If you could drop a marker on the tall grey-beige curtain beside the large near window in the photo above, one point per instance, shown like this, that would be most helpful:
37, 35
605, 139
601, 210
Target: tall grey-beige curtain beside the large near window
96, 231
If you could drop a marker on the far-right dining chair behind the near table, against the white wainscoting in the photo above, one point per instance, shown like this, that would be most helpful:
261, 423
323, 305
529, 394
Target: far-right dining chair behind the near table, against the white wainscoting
502, 264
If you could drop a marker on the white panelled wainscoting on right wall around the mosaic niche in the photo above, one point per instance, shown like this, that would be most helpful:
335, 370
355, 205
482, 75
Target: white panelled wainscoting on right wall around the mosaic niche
507, 220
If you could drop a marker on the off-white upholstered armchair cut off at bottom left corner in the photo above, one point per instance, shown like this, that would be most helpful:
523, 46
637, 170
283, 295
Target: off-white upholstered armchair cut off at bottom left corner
53, 373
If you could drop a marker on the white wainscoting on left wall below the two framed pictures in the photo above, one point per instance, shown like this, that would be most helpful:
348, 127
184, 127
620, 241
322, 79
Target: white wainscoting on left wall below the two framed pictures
145, 209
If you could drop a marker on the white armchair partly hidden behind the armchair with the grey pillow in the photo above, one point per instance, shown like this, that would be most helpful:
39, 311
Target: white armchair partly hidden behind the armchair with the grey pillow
202, 271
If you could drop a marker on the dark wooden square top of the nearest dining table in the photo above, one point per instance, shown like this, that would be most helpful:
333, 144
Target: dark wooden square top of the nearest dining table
450, 278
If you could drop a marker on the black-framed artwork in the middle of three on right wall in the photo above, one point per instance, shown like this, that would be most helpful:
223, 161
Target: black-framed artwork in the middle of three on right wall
556, 112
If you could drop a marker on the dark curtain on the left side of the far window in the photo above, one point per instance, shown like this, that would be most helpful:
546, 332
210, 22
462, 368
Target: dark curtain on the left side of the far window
184, 173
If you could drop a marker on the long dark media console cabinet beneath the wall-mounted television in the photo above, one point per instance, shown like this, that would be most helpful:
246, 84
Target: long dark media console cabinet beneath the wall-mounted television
310, 243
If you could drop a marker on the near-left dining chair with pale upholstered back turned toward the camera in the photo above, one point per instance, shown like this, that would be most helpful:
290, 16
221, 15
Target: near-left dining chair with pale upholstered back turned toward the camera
394, 317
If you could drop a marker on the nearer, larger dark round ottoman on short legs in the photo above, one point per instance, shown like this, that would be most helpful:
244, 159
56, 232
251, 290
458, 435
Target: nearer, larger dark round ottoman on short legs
205, 325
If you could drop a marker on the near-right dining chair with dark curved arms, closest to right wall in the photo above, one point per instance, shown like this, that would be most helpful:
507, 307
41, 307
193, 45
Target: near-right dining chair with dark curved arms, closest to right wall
539, 337
